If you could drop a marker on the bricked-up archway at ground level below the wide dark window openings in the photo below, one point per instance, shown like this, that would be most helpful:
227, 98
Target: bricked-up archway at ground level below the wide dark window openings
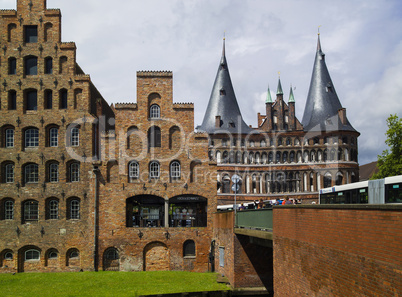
156, 257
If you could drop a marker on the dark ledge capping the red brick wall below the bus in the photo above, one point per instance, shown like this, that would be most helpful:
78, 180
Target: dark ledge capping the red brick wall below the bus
391, 206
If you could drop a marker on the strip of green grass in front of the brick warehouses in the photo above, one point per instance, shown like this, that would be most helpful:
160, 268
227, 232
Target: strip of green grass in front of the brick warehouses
105, 283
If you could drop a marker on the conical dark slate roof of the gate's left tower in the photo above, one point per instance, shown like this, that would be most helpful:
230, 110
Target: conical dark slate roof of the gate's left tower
223, 103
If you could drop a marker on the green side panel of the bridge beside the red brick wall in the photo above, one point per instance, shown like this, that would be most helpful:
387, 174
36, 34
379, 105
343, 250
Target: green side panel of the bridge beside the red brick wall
260, 219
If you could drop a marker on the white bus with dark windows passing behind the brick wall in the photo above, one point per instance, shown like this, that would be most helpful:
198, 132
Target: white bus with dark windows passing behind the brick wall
380, 191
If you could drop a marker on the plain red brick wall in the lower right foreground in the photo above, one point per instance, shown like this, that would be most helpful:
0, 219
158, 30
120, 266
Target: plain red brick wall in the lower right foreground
337, 250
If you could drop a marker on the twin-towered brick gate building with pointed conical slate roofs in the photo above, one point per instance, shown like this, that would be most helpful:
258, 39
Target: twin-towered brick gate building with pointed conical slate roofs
281, 156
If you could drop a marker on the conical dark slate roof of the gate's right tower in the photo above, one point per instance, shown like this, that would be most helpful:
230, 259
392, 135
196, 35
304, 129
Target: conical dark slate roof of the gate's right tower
322, 105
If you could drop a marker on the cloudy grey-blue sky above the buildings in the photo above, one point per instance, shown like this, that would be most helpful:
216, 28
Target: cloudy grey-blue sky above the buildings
362, 40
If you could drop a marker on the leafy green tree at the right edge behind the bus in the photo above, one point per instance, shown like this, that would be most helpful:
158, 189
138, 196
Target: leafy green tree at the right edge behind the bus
390, 162
